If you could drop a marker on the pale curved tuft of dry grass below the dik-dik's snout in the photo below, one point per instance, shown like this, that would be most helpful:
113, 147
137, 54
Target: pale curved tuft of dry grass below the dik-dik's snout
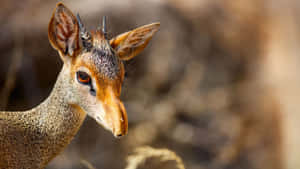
144, 153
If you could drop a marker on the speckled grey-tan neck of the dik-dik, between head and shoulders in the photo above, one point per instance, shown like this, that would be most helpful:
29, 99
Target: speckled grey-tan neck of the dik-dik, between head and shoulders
57, 115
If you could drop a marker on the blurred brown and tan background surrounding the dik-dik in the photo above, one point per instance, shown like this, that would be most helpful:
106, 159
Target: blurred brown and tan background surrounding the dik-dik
218, 84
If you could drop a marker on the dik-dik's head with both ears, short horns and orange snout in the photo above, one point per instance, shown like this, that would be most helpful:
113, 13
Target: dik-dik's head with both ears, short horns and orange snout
93, 65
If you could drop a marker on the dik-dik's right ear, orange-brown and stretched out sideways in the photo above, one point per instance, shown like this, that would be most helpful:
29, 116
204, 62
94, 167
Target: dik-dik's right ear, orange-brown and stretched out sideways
129, 44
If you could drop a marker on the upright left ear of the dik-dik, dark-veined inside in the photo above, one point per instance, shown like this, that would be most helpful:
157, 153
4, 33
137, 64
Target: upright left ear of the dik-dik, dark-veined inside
63, 32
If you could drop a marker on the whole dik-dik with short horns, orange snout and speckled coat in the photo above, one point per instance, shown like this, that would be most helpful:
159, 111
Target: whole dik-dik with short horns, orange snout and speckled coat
89, 83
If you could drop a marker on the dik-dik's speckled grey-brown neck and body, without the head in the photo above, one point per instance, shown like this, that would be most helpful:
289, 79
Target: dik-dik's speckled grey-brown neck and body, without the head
42, 132
